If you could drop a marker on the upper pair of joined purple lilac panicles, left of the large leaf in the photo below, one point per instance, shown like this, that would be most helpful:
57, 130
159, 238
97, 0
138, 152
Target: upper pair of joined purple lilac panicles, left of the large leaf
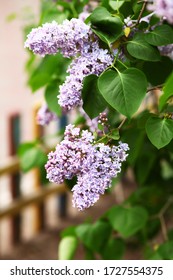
73, 38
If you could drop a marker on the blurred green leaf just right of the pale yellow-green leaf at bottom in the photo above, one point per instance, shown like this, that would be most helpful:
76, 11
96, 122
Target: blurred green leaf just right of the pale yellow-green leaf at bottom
94, 236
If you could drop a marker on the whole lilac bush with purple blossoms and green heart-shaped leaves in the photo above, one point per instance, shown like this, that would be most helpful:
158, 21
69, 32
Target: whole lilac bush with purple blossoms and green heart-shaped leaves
110, 66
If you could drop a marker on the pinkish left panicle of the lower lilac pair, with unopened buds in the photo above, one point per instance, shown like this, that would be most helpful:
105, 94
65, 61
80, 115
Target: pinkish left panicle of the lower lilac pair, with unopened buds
69, 156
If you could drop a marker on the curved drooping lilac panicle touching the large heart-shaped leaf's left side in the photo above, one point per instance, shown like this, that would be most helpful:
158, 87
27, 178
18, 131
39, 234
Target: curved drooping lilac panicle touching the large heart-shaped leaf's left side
93, 61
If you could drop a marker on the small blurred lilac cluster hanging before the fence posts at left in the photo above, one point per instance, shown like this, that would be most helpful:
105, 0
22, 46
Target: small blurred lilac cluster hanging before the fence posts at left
45, 116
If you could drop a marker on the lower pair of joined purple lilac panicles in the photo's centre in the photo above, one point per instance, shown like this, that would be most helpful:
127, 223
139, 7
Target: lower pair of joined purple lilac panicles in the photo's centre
94, 165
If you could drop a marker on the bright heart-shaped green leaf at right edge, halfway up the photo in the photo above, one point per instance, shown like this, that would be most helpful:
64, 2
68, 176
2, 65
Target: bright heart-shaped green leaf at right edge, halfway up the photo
159, 131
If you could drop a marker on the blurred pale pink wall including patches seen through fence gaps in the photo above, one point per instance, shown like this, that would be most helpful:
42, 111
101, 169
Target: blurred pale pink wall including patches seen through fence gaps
16, 102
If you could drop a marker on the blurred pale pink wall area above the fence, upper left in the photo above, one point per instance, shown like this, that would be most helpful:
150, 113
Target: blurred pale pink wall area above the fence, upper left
15, 96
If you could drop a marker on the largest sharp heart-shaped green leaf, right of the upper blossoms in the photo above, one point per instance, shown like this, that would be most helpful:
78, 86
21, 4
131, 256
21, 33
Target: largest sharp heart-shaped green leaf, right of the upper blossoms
124, 91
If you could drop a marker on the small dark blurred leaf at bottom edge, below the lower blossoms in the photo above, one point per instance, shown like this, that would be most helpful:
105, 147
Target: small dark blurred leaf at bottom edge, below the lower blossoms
113, 249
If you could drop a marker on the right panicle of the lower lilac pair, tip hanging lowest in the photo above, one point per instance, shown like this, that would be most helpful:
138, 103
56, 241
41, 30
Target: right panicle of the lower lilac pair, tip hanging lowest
91, 184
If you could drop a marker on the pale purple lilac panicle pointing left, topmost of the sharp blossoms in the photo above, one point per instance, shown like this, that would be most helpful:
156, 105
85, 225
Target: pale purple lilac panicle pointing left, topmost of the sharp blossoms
69, 38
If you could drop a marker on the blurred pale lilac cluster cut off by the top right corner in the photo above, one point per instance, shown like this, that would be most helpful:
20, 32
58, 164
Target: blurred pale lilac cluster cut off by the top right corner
163, 8
